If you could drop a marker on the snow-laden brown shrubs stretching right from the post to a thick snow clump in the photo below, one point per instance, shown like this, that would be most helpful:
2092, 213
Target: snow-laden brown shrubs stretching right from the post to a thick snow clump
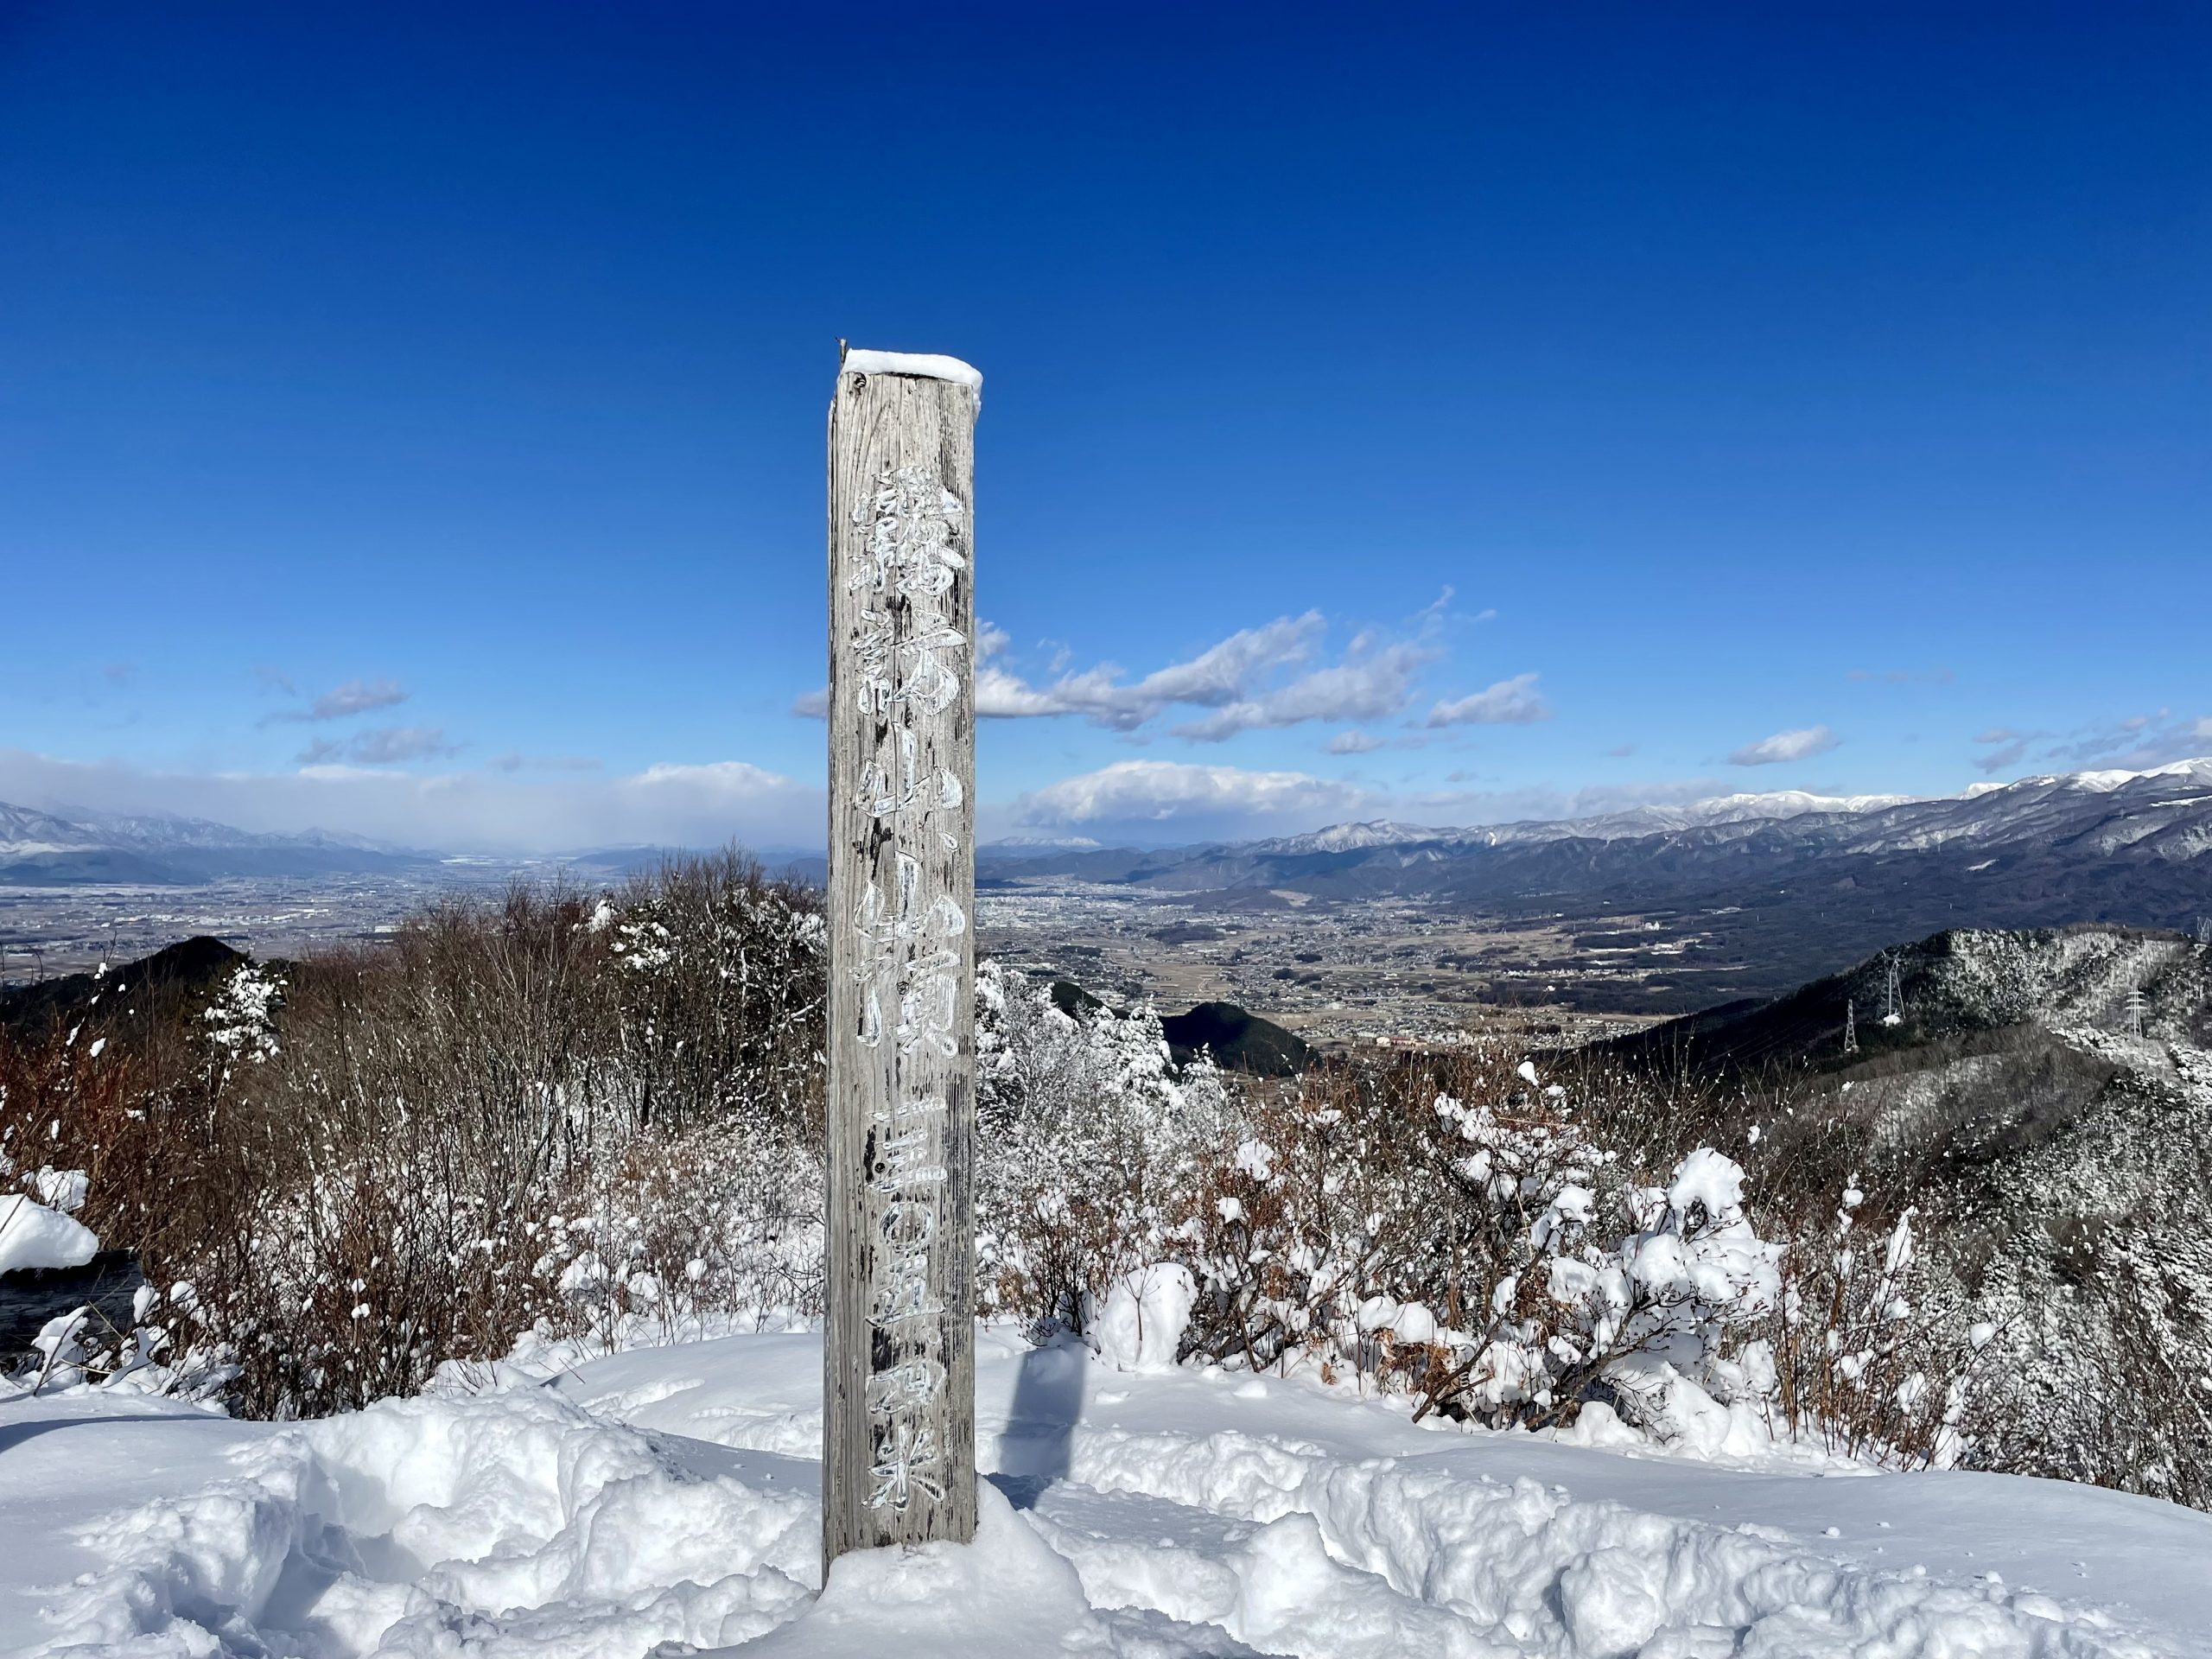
1450, 1229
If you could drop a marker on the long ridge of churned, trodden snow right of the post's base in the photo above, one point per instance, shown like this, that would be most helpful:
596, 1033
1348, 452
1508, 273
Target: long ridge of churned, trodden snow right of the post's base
1384, 1558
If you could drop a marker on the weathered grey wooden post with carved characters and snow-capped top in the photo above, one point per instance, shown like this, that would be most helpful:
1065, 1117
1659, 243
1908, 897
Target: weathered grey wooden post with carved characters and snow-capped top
899, 1359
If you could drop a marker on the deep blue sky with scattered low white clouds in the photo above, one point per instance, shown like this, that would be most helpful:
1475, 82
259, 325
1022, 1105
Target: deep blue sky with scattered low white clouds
1837, 375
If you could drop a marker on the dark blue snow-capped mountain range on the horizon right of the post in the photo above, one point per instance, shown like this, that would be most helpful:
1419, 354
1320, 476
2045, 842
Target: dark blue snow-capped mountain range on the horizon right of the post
1742, 895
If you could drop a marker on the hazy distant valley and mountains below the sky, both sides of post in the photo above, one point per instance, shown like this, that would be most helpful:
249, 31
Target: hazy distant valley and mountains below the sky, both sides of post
1348, 935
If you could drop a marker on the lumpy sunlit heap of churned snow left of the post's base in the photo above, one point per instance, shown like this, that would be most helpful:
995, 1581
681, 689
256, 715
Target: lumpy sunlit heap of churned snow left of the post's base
517, 1525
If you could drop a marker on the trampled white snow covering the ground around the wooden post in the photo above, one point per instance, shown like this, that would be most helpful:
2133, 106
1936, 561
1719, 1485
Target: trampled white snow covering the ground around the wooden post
669, 1496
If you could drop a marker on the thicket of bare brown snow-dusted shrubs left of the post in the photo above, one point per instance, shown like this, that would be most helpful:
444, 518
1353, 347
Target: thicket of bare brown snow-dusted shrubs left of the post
505, 1116
